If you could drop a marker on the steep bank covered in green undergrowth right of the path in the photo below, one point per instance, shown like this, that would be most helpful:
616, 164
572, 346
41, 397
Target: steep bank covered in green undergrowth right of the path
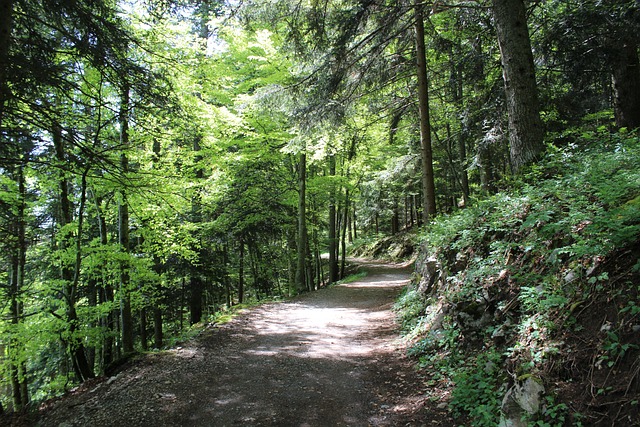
525, 308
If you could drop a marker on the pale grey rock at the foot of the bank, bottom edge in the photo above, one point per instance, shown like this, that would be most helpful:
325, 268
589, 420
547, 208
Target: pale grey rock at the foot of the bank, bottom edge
520, 400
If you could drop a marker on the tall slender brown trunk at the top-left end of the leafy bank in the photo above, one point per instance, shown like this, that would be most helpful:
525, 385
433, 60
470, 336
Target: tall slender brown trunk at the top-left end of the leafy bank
428, 179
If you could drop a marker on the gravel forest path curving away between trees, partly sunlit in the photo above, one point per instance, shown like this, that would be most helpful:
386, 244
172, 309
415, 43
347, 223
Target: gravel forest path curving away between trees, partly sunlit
326, 358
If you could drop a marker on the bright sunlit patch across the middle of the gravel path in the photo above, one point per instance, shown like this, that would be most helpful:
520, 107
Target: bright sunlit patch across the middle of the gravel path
339, 328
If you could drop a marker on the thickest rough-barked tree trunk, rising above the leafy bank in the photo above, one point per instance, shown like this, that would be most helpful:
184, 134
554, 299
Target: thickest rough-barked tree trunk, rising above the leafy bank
525, 126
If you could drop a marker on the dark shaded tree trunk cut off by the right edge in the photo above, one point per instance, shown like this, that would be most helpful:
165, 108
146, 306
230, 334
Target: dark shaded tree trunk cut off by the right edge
626, 86
